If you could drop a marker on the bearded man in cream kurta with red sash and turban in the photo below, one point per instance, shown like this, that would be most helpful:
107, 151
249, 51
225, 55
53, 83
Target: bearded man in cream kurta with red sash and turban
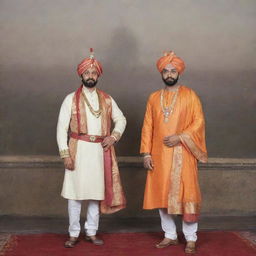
84, 151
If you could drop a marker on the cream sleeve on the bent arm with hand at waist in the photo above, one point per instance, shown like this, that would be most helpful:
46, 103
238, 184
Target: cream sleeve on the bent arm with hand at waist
118, 119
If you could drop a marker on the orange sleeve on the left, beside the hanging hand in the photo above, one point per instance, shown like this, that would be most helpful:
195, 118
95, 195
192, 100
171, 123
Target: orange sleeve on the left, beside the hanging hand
147, 130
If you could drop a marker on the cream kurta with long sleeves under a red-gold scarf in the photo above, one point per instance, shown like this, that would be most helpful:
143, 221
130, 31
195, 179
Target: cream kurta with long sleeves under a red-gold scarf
87, 180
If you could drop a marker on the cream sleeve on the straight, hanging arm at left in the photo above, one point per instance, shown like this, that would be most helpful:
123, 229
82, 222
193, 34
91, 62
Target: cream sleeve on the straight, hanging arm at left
63, 126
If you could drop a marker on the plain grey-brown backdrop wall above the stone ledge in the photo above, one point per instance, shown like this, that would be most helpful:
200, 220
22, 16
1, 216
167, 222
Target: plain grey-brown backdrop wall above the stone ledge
43, 41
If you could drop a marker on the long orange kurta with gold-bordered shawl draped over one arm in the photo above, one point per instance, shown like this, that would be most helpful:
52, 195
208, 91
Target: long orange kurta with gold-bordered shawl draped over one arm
173, 183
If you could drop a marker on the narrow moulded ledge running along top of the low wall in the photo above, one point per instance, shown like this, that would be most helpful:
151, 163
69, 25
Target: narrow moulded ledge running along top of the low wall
46, 161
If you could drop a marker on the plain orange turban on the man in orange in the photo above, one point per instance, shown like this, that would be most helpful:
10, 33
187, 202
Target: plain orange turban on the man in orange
170, 58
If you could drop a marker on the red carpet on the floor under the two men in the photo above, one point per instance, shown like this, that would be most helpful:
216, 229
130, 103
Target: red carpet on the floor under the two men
129, 244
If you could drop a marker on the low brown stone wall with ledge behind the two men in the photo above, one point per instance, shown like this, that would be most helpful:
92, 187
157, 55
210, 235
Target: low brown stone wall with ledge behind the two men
31, 186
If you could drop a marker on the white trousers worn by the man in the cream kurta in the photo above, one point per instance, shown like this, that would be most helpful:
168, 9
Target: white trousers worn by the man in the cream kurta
92, 221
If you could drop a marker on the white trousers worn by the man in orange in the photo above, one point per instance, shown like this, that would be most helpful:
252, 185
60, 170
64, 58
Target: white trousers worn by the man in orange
169, 227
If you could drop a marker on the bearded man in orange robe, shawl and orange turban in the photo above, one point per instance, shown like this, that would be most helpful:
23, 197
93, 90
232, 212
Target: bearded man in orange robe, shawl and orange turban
173, 140
